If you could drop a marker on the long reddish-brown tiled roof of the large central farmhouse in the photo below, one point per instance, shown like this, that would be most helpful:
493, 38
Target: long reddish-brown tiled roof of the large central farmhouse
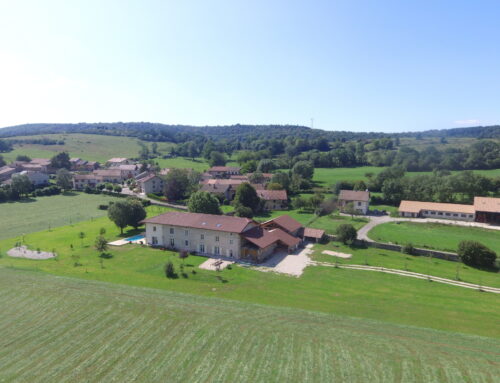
202, 221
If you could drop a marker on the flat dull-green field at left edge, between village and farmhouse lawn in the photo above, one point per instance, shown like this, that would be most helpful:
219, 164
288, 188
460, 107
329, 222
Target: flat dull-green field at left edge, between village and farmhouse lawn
42, 213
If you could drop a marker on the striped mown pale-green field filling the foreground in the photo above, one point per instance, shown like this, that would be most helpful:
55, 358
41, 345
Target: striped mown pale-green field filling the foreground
121, 333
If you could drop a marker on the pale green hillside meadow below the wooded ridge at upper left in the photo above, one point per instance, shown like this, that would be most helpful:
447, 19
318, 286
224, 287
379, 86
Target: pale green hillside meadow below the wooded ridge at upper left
91, 147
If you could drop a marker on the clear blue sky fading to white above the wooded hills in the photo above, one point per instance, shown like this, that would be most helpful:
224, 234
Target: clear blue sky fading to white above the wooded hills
350, 65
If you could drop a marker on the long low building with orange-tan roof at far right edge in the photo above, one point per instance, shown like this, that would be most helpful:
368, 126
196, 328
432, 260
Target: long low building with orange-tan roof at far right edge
484, 209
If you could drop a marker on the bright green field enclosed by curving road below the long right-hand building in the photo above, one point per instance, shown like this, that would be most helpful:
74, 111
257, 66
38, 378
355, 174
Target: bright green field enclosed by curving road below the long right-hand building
434, 235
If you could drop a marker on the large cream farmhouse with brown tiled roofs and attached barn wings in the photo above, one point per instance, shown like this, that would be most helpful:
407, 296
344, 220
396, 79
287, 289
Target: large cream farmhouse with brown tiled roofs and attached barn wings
220, 235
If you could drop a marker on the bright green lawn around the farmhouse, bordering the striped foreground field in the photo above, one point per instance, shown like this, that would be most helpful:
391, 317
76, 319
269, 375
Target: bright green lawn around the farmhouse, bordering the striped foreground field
323, 289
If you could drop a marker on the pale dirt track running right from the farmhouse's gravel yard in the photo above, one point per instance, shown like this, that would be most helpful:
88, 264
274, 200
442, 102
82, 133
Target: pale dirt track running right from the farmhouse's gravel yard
412, 275
